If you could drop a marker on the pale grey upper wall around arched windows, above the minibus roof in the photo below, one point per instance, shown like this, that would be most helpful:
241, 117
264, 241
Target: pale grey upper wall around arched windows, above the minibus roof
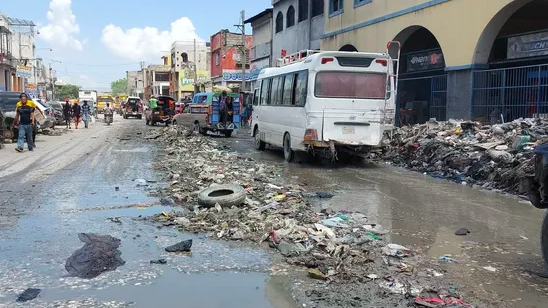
303, 35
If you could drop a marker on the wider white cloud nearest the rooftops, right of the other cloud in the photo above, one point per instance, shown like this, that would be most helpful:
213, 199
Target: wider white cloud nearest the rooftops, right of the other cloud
147, 43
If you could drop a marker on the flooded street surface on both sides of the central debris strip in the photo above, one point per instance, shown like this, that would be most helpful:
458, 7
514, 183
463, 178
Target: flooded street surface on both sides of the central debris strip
106, 189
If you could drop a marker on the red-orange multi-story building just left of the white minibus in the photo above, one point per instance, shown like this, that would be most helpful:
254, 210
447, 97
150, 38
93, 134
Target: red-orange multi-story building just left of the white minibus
226, 59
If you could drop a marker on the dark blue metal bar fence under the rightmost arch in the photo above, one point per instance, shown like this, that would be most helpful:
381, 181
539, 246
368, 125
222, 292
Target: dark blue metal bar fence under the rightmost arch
510, 93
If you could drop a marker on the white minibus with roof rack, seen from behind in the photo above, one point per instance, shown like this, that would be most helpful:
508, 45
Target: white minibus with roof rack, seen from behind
326, 102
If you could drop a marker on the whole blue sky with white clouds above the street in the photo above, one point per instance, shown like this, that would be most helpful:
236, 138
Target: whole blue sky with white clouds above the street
97, 41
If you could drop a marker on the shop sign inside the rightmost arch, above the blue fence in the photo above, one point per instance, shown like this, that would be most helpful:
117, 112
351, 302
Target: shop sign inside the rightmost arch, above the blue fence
529, 45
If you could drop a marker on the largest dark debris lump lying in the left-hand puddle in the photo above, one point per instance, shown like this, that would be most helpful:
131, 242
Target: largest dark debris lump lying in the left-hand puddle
99, 254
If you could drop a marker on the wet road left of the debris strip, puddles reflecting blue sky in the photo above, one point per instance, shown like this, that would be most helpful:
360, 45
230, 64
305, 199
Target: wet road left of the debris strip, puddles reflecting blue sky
41, 219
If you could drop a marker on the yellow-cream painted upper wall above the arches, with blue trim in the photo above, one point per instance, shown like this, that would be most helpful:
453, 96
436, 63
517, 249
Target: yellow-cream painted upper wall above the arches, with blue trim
369, 27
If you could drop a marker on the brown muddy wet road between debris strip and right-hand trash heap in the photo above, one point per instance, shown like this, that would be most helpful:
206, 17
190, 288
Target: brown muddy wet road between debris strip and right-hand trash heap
495, 260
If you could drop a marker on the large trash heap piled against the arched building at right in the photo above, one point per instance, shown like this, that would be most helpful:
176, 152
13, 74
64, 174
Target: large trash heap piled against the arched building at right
493, 157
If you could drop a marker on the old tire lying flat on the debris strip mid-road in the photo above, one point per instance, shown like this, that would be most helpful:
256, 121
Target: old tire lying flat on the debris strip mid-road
226, 195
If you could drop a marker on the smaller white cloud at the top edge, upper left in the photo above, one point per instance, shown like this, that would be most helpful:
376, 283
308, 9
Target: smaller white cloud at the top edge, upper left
62, 26
